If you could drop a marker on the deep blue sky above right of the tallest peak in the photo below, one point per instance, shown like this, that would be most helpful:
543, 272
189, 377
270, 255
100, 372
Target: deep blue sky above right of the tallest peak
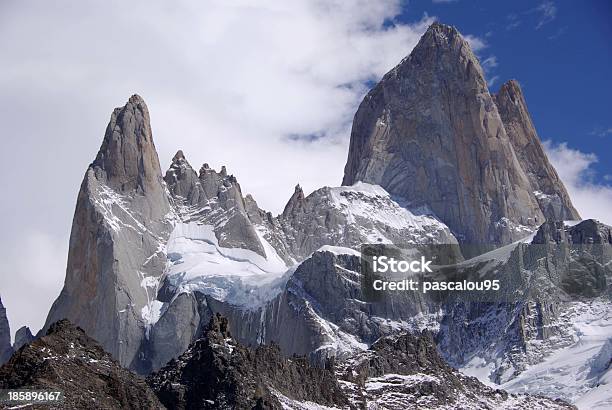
559, 51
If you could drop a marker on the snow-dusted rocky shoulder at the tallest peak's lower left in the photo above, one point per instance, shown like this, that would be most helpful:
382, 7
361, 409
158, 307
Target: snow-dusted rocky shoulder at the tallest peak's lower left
353, 215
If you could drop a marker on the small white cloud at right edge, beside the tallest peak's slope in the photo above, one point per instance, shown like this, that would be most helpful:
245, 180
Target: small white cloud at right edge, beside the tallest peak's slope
592, 199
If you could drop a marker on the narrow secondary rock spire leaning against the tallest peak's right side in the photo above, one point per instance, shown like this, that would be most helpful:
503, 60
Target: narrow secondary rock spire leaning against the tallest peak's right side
552, 197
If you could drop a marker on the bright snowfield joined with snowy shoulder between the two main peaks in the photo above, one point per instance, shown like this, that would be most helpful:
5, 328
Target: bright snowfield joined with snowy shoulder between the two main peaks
360, 214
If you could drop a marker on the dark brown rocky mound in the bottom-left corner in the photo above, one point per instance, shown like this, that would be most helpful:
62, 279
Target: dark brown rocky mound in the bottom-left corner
67, 359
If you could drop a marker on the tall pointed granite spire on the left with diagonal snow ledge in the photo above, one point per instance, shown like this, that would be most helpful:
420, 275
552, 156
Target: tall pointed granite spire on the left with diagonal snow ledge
120, 227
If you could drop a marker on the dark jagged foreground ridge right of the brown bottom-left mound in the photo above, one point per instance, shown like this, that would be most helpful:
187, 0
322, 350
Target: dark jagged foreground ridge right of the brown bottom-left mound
400, 372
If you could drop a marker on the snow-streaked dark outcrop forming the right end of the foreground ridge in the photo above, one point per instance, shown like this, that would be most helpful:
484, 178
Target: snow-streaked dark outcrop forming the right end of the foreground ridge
406, 372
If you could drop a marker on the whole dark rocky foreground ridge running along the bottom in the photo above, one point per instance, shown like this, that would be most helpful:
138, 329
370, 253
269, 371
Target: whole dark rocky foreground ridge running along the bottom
217, 372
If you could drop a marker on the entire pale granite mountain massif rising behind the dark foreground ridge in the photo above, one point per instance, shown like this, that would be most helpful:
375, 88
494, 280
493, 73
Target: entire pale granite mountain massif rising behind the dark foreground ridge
435, 160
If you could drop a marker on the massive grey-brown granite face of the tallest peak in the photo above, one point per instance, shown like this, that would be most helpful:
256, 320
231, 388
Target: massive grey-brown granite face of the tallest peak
430, 132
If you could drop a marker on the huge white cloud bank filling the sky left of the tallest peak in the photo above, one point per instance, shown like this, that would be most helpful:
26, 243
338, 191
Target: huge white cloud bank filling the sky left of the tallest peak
227, 82
